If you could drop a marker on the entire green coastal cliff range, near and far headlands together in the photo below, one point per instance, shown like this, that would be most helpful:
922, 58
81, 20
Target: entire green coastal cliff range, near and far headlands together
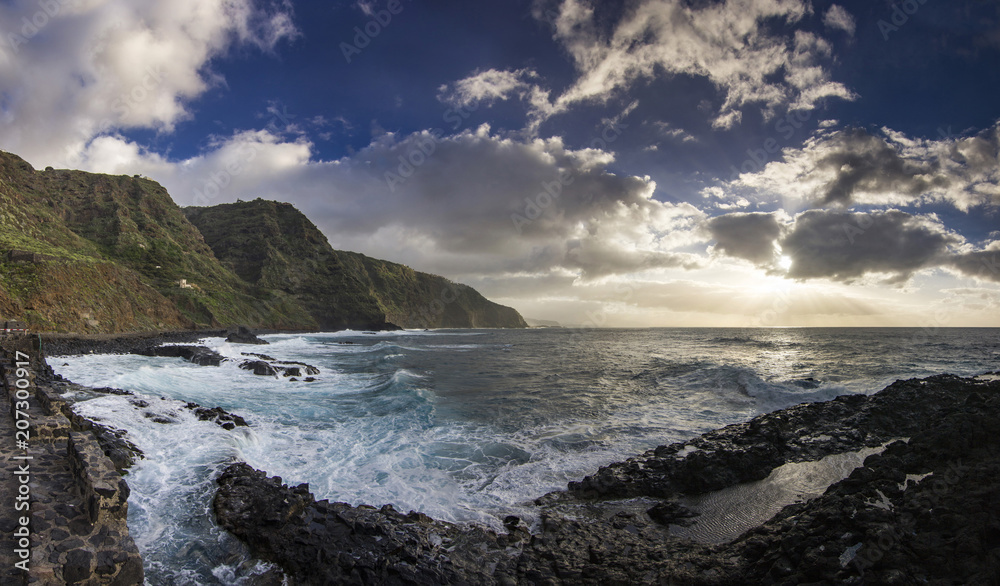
90, 253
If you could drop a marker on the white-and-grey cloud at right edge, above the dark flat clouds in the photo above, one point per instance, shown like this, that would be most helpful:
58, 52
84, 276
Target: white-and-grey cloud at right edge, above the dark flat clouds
854, 166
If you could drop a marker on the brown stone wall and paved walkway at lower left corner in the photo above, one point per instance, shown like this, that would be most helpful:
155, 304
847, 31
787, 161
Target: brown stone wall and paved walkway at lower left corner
72, 500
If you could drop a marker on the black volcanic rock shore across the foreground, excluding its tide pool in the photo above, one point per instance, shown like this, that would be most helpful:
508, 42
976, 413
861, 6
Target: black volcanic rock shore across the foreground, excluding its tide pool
924, 511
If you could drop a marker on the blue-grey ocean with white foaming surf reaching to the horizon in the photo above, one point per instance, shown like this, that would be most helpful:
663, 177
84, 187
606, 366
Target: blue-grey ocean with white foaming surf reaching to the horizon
463, 425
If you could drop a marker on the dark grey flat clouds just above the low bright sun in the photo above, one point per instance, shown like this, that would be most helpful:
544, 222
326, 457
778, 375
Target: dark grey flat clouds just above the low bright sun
841, 246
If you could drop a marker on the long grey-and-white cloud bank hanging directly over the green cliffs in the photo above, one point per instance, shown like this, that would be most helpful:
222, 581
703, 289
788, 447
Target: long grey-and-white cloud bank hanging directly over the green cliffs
472, 203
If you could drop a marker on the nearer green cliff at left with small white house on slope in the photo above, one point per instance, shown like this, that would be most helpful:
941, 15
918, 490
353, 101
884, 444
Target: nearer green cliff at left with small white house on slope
109, 256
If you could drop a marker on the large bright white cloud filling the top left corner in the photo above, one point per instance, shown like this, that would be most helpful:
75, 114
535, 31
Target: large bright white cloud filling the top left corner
98, 67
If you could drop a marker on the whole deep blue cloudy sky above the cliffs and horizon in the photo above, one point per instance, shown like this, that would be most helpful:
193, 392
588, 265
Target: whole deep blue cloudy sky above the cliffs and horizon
598, 163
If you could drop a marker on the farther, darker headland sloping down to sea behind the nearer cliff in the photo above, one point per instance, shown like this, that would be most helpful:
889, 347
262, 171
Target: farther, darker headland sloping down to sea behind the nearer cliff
271, 244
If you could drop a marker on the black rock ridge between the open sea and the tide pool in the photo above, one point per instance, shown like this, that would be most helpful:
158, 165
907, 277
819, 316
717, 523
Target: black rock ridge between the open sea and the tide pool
749, 451
